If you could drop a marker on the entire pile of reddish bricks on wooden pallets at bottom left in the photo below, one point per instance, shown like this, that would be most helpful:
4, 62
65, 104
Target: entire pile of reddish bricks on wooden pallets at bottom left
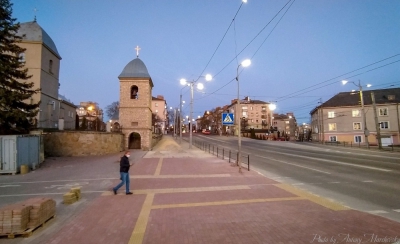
19, 217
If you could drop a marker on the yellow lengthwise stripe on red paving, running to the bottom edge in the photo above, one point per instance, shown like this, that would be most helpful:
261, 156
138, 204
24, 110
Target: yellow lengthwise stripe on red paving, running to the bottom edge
141, 223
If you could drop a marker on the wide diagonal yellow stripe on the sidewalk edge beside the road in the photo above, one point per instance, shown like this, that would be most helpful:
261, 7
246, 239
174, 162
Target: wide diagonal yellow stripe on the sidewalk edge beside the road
313, 198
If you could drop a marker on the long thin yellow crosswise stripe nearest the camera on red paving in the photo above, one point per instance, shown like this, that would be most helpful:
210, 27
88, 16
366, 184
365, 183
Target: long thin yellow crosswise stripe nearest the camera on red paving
202, 204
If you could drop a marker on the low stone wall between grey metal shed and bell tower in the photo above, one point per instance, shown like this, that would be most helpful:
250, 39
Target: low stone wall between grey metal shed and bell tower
81, 143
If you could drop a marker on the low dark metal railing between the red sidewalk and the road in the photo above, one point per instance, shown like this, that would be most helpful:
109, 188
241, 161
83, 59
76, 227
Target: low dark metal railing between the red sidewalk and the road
223, 153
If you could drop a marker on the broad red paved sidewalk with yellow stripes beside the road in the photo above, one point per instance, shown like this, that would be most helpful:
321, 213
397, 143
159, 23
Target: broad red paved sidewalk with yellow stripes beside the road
184, 195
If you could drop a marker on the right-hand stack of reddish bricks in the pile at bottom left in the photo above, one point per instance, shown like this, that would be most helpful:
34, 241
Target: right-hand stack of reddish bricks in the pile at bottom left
42, 210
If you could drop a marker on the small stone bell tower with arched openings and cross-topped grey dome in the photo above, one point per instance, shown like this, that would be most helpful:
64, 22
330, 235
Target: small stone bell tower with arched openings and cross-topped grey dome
135, 104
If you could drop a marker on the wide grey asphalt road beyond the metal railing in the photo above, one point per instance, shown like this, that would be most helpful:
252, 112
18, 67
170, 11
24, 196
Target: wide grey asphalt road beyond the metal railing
366, 180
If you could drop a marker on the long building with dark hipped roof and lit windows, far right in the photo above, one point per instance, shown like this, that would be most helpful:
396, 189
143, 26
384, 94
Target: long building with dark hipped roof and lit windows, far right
341, 118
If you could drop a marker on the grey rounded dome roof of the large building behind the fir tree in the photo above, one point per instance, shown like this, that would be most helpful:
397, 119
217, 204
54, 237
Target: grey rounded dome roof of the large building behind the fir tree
31, 31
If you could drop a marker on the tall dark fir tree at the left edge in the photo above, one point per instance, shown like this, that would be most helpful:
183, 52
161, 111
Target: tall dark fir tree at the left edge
17, 112
